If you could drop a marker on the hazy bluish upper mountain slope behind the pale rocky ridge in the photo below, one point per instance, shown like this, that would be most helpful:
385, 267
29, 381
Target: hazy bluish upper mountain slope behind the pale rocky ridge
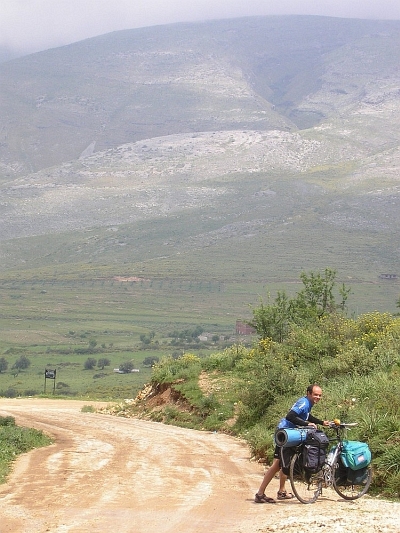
254, 73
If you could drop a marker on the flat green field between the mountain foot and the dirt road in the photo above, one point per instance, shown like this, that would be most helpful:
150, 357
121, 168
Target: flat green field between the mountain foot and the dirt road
54, 322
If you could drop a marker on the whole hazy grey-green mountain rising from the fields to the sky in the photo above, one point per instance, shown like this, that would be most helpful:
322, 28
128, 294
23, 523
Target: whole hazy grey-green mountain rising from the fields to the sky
241, 151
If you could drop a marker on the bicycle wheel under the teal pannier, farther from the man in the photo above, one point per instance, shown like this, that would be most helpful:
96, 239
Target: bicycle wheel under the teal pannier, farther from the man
349, 484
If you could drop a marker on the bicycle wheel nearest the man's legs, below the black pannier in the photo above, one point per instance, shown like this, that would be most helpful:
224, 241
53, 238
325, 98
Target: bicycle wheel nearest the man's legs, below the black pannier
306, 487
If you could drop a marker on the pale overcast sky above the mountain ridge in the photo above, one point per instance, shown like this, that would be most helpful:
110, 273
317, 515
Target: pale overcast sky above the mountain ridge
28, 26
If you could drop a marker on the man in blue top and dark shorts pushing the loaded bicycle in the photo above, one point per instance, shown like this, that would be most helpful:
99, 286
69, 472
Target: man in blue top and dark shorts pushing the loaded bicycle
299, 415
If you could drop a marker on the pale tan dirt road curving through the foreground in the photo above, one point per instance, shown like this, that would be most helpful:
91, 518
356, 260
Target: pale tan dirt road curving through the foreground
108, 474
